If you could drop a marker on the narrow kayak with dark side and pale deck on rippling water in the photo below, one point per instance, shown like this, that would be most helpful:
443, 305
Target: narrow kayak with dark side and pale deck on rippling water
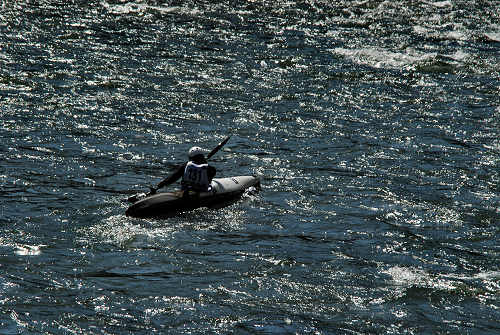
224, 191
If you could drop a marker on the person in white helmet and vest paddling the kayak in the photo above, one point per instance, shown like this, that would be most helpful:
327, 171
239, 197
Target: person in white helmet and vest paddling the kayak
196, 174
